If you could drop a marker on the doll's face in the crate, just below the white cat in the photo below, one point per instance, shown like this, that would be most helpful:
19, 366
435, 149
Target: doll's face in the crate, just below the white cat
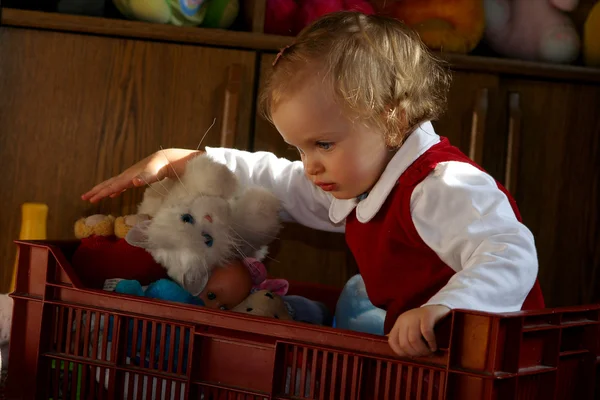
227, 286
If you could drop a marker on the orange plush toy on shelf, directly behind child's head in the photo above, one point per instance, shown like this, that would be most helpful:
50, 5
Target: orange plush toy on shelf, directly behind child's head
453, 26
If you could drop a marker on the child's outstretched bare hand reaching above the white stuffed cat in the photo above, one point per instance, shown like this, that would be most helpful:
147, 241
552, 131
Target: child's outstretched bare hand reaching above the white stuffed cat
151, 169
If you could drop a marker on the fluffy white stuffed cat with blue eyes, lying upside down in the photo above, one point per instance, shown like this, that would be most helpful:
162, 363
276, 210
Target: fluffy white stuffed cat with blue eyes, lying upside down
203, 219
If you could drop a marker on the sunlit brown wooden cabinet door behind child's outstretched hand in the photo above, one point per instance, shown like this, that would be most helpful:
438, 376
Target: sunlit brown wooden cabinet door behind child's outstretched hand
77, 109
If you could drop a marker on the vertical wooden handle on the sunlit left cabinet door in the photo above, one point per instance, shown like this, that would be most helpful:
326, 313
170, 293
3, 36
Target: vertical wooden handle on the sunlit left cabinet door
231, 106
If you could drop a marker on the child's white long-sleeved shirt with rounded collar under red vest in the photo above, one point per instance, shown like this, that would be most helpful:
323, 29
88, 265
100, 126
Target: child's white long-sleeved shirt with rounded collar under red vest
458, 211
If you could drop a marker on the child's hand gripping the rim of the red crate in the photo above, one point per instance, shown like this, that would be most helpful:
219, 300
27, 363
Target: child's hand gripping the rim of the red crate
406, 337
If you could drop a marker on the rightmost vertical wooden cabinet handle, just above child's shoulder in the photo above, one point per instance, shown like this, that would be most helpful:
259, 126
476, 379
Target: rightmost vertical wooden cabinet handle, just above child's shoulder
514, 142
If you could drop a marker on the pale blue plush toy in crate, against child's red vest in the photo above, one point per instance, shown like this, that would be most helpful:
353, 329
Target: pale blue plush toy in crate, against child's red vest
355, 311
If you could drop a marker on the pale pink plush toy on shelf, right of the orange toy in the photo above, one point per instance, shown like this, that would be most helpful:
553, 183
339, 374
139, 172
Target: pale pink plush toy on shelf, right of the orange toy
536, 30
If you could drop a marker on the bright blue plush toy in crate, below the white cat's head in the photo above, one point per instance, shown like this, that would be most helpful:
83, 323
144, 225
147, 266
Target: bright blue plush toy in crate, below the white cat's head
163, 289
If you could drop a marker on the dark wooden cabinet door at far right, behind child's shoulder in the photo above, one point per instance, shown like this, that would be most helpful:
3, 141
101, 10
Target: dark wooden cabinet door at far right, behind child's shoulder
553, 170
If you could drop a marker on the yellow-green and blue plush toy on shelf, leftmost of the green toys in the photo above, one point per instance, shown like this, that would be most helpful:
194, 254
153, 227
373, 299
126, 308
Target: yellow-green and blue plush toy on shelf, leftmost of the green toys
174, 12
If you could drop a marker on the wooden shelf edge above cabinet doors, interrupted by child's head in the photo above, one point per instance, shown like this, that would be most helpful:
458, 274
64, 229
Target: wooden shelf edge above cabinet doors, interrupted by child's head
269, 43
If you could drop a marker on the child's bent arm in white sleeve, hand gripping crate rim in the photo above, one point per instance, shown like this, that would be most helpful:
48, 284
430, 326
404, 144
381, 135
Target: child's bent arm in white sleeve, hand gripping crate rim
462, 215
